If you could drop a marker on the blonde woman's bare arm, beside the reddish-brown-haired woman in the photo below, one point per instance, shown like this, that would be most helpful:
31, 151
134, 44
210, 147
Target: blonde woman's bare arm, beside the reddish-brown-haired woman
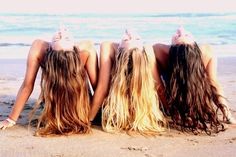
106, 57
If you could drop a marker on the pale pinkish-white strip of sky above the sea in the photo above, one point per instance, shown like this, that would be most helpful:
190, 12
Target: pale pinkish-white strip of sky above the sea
116, 6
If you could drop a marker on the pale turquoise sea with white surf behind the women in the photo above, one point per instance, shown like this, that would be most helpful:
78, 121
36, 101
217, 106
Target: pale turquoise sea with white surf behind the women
17, 31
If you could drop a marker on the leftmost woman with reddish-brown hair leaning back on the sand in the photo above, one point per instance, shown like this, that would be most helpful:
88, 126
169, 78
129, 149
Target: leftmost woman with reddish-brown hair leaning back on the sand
64, 89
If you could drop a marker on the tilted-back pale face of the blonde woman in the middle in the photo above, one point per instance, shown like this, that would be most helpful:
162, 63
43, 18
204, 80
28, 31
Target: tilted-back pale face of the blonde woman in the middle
130, 40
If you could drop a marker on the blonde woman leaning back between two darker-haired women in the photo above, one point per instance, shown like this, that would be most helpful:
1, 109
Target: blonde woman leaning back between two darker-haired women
127, 89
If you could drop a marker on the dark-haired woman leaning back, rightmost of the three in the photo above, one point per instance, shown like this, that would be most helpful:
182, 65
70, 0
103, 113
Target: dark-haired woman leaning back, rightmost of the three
193, 95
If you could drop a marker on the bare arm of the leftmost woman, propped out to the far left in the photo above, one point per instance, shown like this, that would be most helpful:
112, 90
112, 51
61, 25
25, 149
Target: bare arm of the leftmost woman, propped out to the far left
34, 57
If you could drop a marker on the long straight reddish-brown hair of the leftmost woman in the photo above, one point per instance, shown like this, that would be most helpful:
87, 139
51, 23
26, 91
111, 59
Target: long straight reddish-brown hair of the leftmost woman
64, 93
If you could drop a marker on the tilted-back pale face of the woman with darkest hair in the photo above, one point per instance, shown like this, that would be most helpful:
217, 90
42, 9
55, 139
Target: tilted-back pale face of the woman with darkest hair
182, 37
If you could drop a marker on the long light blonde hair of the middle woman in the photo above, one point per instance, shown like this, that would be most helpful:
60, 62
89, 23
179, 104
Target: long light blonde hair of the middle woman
132, 103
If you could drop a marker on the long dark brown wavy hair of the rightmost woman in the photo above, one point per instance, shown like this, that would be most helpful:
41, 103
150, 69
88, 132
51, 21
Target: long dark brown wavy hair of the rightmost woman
193, 99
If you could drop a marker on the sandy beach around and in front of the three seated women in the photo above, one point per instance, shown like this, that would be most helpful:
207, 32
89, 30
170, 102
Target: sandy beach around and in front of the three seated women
19, 141
